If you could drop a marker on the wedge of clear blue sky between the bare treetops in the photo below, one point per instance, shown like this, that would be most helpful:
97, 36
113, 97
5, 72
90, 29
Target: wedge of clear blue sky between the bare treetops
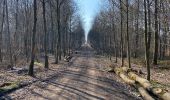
88, 9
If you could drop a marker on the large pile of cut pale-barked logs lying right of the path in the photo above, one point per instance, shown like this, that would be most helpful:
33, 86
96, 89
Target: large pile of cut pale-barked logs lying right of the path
145, 88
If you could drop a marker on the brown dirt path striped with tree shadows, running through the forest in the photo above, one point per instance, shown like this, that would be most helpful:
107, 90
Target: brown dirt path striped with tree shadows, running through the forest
82, 79
